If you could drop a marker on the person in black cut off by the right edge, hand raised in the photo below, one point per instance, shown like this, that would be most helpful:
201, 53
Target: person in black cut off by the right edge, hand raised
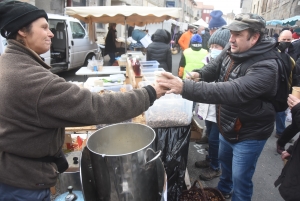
289, 178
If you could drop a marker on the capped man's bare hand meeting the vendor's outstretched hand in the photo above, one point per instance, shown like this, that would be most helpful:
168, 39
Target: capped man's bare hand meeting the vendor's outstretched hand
173, 84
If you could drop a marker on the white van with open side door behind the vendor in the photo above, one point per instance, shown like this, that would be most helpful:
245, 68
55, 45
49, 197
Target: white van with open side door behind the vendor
71, 47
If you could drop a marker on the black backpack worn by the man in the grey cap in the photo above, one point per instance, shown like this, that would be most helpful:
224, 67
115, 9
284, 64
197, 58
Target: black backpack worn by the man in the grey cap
284, 81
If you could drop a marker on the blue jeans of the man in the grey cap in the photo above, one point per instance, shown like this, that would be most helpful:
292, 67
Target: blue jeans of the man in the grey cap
238, 162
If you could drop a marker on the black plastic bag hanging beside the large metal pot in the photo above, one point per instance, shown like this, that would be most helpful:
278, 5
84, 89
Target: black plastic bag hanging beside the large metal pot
174, 144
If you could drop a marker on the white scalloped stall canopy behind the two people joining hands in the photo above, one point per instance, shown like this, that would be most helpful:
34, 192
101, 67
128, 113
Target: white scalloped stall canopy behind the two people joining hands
134, 15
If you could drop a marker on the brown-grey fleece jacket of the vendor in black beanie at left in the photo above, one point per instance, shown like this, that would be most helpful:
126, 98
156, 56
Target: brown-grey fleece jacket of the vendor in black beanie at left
36, 105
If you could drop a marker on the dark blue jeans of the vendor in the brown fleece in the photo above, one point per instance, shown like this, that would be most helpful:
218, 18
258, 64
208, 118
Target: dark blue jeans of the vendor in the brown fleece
19, 194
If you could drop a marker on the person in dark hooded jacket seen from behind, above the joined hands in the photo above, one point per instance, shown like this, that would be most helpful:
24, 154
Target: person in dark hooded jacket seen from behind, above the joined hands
159, 49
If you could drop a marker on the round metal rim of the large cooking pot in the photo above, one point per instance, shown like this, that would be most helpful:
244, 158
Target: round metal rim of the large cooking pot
125, 154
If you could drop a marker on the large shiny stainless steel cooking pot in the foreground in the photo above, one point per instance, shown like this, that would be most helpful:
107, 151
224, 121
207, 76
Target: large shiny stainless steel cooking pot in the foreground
120, 165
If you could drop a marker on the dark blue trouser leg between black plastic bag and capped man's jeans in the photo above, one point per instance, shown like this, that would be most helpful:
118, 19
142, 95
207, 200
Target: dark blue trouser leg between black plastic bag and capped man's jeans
213, 142
